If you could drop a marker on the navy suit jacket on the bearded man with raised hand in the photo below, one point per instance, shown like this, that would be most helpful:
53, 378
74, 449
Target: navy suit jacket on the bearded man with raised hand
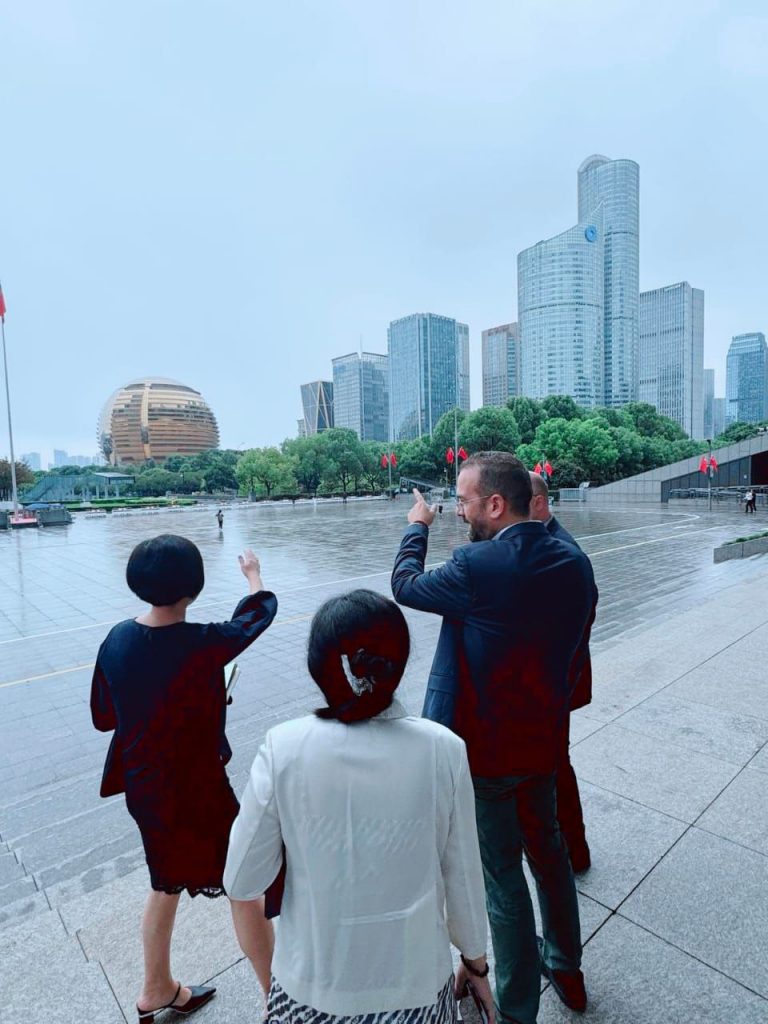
515, 614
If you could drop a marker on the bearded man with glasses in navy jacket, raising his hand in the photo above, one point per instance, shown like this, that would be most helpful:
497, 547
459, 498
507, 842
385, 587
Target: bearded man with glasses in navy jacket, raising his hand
516, 604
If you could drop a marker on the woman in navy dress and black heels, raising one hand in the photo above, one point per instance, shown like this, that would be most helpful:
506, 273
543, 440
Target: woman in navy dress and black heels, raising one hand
159, 684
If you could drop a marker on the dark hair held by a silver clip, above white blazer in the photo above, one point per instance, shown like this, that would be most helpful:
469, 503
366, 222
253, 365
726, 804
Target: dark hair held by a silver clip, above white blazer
372, 632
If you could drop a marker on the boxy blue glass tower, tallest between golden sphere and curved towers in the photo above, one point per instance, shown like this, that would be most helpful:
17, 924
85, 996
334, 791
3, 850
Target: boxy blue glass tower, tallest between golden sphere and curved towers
429, 372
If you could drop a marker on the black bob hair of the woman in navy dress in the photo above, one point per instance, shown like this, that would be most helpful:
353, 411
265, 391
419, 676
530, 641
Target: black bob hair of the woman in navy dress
164, 570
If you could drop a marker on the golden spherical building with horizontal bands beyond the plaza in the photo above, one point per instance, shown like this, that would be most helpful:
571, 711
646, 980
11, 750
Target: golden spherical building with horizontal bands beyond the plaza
154, 418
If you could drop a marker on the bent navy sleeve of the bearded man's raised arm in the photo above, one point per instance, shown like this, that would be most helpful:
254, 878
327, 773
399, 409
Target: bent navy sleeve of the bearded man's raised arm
446, 591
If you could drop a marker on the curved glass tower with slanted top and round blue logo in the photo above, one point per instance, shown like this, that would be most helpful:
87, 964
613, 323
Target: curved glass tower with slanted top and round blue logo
561, 315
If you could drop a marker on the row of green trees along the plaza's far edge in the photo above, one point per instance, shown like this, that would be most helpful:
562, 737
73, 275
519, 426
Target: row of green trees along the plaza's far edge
599, 446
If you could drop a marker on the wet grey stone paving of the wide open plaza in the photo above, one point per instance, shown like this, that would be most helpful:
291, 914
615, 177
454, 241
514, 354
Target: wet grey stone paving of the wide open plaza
672, 754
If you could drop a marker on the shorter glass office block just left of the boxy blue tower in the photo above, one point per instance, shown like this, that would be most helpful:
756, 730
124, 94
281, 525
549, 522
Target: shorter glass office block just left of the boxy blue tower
362, 395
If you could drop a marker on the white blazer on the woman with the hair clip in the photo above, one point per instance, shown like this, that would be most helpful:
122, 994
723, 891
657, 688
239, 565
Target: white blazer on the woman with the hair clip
383, 863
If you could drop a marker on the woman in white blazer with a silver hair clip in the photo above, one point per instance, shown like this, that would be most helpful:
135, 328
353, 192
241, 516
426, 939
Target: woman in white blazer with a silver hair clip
371, 814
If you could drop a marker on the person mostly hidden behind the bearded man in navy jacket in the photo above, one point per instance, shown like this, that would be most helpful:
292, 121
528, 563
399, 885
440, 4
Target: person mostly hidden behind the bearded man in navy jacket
570, 815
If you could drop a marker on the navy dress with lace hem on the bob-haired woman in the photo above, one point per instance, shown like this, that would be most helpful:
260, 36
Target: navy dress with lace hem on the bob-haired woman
162, 691
